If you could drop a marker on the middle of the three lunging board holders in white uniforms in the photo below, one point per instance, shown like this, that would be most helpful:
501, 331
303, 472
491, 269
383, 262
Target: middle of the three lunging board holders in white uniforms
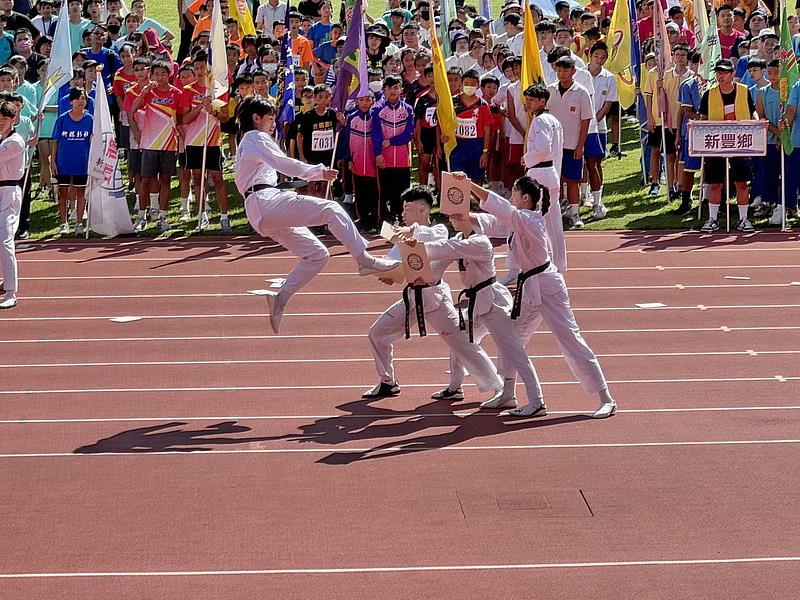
489, 306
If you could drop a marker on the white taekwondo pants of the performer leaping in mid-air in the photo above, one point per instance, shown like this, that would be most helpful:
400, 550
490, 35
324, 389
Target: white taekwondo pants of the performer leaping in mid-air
286, 216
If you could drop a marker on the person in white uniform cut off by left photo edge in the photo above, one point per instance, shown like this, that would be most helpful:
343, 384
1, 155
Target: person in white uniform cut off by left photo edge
12, 161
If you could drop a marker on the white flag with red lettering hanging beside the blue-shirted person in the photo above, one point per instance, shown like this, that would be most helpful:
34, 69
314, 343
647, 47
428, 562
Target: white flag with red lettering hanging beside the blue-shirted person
108, 208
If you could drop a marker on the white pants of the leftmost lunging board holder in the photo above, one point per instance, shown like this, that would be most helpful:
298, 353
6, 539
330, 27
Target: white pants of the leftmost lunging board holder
390, 327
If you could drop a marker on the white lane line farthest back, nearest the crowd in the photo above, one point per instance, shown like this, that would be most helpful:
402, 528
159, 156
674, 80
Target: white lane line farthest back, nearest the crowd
344, 254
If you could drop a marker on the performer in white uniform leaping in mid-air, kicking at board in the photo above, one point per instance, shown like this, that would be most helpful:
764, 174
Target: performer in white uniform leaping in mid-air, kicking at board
284, 215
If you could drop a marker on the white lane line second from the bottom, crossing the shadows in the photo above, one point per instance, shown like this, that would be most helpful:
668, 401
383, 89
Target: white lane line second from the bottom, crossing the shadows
400, 447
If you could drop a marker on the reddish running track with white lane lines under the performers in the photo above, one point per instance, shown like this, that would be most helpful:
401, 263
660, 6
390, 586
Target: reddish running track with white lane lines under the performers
193, 454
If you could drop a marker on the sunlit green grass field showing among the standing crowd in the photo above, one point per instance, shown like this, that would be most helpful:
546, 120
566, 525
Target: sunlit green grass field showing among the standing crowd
629, 206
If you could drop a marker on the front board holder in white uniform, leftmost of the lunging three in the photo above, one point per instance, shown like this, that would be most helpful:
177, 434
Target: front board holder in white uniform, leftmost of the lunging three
436, 309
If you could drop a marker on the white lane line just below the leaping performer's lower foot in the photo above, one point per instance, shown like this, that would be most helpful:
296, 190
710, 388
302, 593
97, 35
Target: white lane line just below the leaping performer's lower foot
84, 340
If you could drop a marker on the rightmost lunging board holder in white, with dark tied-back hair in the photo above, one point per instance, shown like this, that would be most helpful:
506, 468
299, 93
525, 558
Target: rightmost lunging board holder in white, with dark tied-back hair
541, 293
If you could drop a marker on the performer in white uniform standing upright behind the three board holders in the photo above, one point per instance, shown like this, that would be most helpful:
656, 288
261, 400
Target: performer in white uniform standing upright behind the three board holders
545, 147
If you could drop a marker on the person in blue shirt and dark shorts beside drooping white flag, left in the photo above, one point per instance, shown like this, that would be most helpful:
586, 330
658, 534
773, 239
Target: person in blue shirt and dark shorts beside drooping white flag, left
72, 136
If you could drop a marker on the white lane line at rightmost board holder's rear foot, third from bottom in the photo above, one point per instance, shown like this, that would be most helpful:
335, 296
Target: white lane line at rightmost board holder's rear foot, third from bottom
381, 417
